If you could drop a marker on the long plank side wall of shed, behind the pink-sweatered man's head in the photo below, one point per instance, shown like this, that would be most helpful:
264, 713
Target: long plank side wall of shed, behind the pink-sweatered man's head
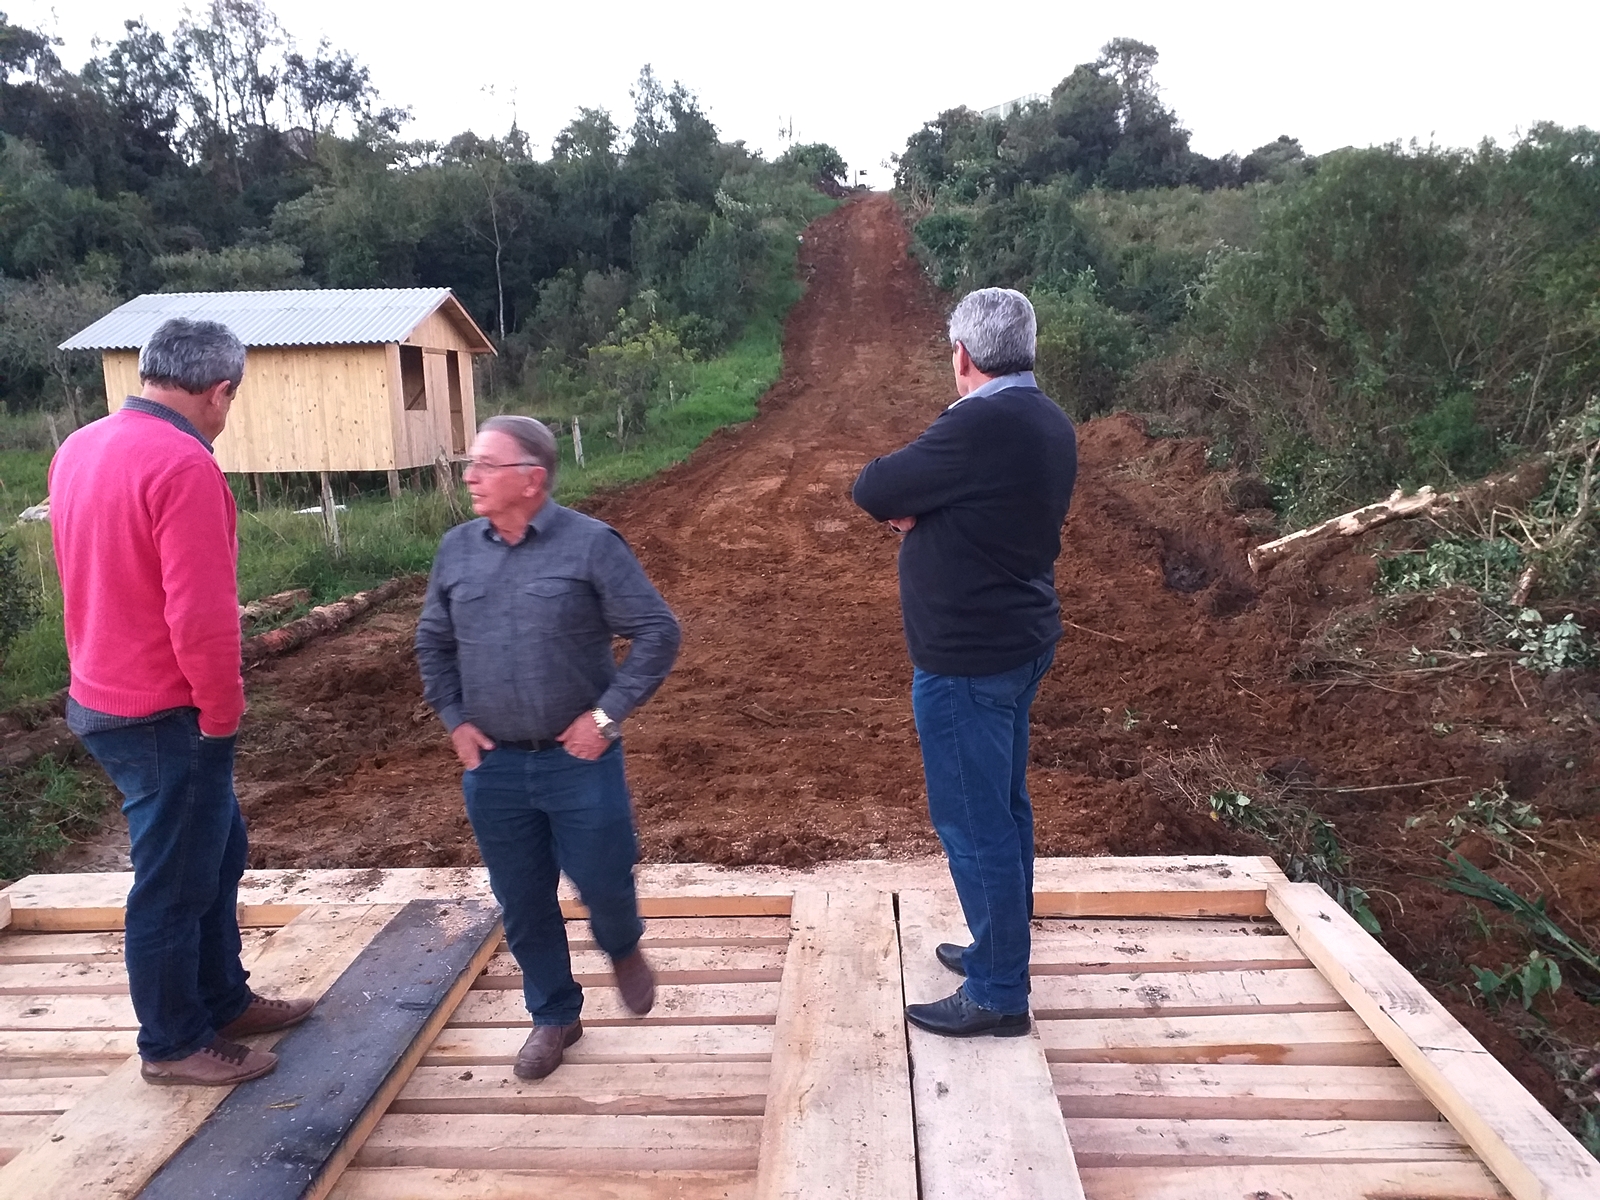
300, 409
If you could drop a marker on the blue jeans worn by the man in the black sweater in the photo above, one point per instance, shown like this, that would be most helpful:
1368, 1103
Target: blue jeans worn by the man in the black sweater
974, 732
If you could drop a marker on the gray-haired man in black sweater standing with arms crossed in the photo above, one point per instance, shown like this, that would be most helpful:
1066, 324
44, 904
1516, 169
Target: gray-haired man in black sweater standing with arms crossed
980, 500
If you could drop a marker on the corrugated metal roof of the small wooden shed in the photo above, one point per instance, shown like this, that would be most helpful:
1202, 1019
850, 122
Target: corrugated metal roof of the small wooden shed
332, 318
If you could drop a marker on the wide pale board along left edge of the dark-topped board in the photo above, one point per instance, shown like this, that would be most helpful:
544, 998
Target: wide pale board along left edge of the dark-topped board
118, 1137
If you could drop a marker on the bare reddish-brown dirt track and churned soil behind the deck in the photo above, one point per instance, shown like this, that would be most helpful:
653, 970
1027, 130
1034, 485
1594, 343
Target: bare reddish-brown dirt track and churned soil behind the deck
785, 734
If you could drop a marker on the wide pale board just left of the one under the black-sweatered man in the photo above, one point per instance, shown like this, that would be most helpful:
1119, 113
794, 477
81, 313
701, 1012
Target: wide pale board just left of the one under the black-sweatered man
839, 1119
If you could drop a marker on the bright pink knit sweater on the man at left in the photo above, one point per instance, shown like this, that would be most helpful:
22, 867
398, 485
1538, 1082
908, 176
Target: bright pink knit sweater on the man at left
148, 548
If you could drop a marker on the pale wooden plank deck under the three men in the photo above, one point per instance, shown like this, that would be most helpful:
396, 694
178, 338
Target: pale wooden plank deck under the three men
1188, 1047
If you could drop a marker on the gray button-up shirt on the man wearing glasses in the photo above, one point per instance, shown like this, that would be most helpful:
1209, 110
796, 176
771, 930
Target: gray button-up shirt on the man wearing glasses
518, 639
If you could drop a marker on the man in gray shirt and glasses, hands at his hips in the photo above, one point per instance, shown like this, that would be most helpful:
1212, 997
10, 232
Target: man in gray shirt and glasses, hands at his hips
516, 654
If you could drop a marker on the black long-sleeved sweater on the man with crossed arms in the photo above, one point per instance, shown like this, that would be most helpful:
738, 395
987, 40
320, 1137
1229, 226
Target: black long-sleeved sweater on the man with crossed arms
990, 484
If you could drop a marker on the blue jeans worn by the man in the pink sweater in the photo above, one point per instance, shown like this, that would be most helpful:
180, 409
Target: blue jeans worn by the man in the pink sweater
188, 854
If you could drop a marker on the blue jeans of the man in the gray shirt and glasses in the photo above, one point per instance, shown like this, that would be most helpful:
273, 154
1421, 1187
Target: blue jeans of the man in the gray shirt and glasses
537, 815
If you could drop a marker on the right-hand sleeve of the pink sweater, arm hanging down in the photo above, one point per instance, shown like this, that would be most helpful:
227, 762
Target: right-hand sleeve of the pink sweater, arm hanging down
196, 542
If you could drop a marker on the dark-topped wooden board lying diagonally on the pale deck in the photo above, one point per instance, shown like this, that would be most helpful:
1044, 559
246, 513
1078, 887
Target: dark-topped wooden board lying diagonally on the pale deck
300, 1126
